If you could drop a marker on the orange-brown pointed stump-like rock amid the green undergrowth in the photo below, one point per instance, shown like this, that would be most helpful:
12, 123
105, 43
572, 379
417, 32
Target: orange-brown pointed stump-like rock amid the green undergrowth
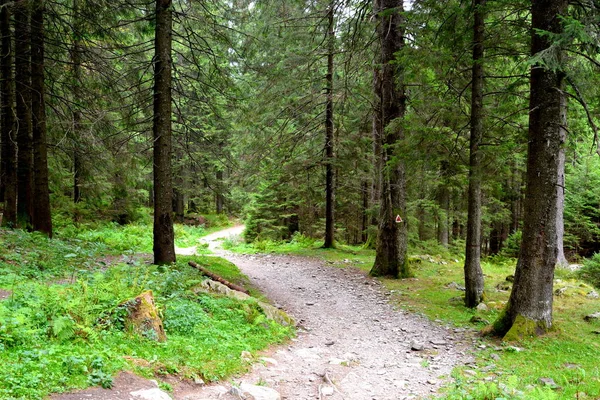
142, 317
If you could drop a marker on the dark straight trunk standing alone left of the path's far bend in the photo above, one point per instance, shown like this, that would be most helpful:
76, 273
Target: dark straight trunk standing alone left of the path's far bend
164, 237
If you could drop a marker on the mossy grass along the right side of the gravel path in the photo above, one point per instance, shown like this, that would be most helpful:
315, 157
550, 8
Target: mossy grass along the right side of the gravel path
569, 355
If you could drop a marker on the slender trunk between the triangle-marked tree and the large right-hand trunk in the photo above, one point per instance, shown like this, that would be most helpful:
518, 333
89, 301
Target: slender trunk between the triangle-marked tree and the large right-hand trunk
473, 272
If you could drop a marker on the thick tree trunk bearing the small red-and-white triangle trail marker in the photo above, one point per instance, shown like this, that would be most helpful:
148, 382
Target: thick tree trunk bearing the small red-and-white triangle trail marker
392, 237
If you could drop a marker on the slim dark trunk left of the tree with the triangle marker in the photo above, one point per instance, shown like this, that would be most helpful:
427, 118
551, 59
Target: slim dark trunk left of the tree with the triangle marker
329, 174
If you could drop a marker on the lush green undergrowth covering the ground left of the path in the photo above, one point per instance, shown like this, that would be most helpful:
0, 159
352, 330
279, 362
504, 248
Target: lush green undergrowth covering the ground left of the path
61, 326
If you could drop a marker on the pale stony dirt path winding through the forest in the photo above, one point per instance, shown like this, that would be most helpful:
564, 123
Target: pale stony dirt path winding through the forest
351, 343
